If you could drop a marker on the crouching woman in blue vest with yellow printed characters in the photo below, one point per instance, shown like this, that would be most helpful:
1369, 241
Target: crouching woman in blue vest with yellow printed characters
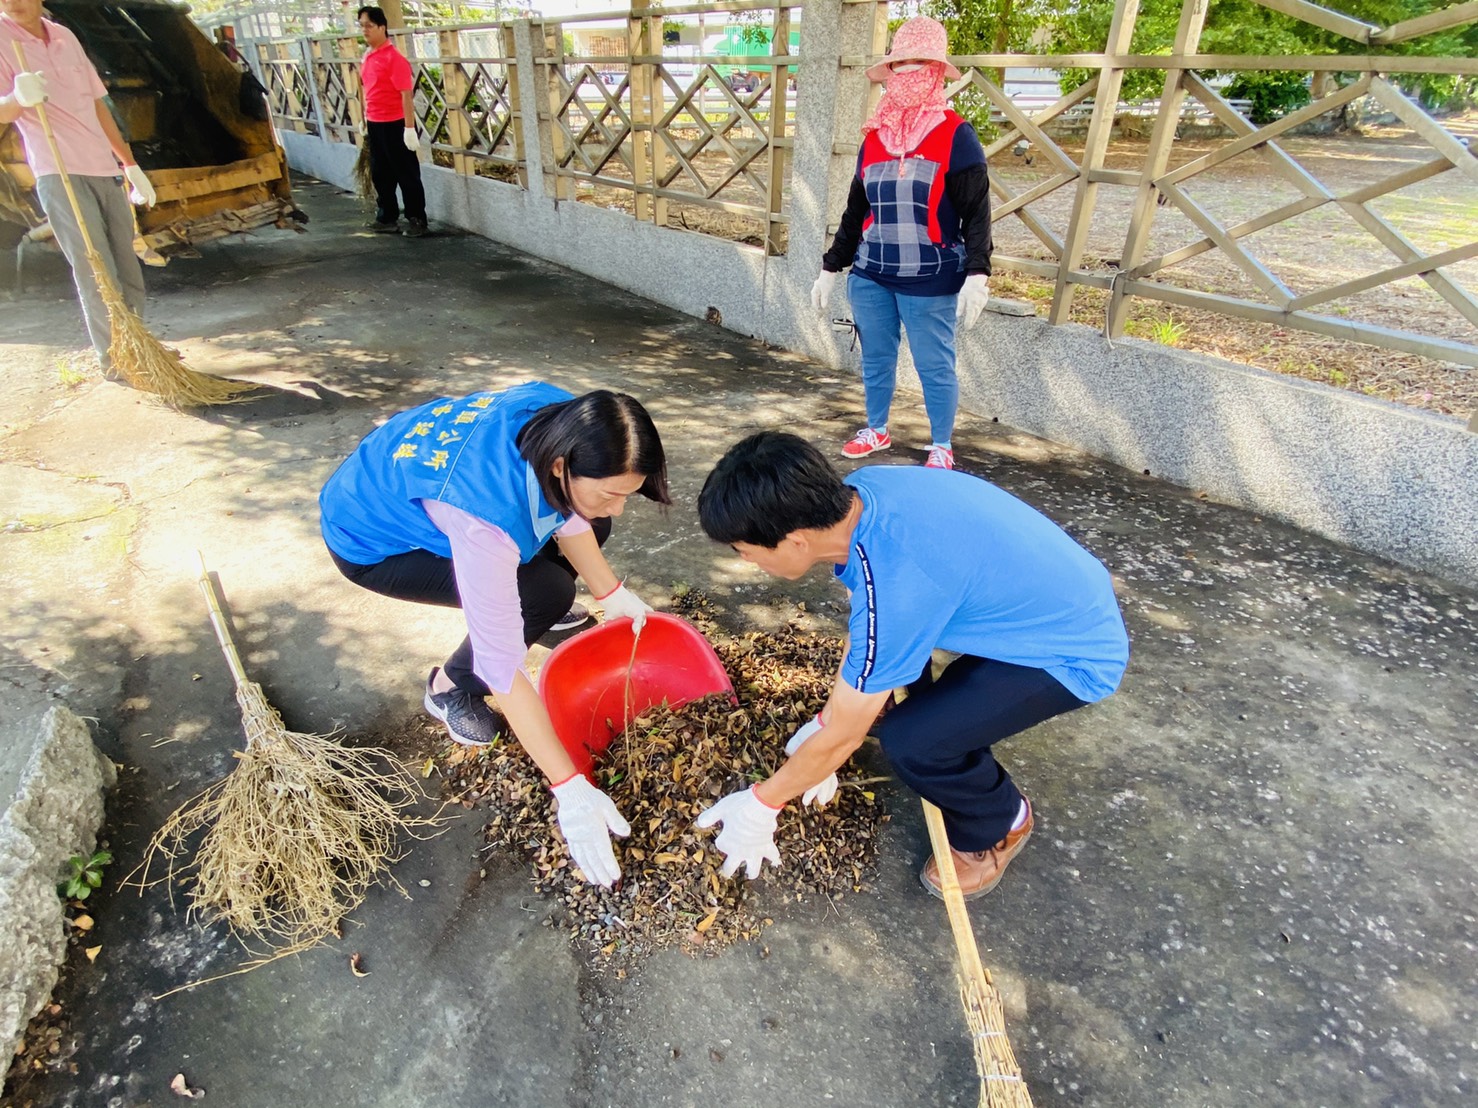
494, 503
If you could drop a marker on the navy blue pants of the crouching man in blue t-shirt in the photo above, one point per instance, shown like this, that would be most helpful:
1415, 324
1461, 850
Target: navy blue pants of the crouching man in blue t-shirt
939, 742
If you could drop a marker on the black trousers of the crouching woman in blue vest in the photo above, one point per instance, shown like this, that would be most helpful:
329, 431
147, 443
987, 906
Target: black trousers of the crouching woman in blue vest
546, 592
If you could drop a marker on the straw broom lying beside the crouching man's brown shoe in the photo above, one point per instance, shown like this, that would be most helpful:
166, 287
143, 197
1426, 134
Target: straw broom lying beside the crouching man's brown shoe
1001, 1082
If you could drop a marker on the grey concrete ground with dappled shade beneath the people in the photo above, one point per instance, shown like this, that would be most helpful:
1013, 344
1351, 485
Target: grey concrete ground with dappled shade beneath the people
1253, 878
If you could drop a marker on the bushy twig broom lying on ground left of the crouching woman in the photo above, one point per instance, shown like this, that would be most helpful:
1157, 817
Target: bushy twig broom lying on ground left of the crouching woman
295, 835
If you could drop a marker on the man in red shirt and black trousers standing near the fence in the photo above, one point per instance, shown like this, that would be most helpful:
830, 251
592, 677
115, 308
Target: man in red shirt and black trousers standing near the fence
391, 129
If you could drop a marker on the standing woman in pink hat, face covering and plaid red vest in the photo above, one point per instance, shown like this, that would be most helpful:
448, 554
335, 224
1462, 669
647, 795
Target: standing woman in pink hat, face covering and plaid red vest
917, 236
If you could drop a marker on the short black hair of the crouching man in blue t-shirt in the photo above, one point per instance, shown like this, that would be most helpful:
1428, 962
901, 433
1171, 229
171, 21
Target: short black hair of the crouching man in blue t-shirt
769, 485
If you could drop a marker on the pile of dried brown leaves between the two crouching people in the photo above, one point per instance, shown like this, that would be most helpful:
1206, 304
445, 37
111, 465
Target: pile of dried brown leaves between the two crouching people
661, 773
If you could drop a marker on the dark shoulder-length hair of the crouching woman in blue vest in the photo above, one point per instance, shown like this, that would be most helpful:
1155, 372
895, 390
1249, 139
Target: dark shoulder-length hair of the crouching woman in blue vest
598, 435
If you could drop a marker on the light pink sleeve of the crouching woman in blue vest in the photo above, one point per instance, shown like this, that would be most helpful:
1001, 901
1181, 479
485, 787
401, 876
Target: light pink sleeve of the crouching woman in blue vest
487, 564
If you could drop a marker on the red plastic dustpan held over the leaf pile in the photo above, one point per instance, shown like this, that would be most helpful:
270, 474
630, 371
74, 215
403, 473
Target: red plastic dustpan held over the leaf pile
585, 680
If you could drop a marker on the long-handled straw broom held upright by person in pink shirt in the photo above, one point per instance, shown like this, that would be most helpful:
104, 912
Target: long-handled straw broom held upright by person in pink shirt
138, 355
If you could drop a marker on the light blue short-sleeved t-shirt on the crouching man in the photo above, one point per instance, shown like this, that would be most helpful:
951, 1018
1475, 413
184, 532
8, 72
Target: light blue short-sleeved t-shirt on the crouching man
942, 559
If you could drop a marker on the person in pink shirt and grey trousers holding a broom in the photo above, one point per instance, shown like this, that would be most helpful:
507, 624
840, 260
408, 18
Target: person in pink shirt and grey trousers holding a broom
58, 75
